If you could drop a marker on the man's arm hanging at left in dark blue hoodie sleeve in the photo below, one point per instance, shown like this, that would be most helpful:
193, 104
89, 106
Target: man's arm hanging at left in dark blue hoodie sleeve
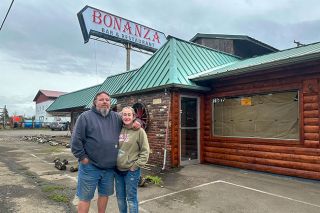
78, 139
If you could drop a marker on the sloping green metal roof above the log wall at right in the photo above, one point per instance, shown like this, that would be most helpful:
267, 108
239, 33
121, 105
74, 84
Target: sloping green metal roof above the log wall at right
282, 58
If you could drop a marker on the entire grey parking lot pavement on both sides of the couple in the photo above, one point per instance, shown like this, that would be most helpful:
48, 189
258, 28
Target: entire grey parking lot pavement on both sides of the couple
193, 188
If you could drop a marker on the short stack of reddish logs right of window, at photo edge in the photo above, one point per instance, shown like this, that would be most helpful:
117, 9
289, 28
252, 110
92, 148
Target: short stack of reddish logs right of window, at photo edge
310, 102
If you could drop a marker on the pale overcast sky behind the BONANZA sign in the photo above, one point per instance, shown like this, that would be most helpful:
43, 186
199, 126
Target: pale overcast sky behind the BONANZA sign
41, 44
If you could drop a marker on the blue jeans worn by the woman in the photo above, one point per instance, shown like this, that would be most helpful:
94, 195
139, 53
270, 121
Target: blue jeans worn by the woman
127, 190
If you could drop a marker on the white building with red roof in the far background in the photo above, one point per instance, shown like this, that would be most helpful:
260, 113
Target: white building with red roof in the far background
43, 100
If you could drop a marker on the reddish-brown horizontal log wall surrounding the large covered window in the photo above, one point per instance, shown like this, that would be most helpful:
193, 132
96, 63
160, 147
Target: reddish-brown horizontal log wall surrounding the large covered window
300, 157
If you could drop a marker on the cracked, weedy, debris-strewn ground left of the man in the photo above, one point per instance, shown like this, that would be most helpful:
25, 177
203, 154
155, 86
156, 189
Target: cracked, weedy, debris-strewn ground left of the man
29, 182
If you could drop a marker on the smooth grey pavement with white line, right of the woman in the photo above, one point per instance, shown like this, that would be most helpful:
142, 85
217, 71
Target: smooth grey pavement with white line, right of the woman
208, 188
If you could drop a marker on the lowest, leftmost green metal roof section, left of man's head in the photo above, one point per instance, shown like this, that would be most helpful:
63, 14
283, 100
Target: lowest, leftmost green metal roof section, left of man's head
75, 99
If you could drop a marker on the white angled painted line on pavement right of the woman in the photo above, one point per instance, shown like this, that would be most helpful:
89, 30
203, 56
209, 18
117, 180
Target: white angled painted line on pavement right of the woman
225, 182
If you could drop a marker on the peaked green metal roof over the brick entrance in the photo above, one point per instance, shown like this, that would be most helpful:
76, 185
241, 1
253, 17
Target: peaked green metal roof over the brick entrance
171, 65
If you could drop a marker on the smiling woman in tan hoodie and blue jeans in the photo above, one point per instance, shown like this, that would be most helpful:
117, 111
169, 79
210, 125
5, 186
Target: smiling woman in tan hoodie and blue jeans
133, 154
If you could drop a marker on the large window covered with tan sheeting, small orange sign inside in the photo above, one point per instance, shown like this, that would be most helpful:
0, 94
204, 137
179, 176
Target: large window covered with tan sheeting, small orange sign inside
274, 115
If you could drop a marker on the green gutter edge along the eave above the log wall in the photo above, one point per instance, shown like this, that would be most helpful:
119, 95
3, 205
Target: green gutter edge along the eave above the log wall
250, 69
